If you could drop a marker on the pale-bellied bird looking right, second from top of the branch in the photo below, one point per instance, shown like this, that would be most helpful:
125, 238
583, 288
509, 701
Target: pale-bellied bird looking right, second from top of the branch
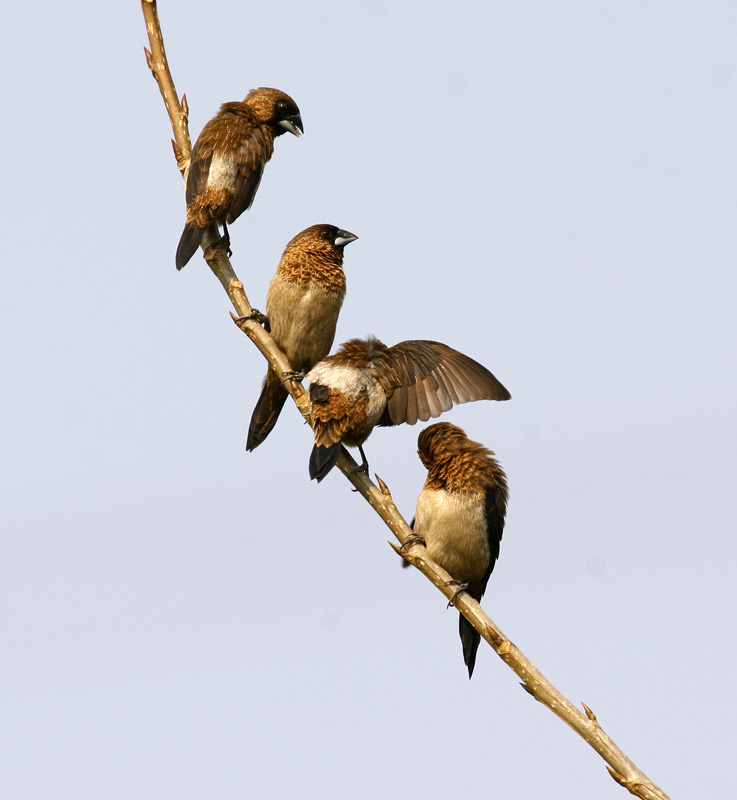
302, 307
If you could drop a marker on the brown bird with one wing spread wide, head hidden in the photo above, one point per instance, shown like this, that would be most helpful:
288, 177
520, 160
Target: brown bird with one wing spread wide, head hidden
367, 383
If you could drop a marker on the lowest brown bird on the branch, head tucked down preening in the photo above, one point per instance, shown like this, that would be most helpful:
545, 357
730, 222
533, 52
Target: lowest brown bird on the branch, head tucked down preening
460, 514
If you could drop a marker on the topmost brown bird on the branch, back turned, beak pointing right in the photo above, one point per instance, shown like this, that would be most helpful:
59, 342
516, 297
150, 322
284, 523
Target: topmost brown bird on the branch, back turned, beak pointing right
228, 160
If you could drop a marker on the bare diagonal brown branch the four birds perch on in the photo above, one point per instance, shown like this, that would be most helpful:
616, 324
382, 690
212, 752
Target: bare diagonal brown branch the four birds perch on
620, 767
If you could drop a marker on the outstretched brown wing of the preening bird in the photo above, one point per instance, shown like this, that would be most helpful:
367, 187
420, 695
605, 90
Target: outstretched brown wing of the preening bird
427, 378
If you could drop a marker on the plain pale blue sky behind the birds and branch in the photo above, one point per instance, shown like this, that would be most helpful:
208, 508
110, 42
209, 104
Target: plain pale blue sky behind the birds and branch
549, 188
